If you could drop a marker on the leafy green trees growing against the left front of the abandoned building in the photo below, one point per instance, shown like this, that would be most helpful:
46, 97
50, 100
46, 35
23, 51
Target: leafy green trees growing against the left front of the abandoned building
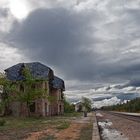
27, 95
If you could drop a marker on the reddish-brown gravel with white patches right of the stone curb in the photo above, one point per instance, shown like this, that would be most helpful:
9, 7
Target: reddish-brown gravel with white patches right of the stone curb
117, 128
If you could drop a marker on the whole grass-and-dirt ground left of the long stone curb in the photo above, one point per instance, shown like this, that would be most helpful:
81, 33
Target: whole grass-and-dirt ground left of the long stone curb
53, 128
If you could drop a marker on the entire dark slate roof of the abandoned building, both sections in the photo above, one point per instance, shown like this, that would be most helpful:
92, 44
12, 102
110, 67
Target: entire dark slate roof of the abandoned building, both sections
38, 71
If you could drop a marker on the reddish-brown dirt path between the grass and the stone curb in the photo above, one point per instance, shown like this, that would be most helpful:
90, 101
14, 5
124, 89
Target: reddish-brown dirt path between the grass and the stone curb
71, 133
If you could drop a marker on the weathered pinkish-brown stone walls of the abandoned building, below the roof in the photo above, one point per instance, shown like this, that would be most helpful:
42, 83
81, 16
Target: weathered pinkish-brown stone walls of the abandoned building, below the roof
43, 106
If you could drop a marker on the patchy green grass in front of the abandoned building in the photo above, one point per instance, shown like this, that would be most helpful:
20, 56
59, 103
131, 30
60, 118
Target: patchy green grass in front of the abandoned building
19, 128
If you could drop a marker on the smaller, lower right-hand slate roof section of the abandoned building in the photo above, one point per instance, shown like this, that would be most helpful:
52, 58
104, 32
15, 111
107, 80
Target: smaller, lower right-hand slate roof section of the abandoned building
58, 83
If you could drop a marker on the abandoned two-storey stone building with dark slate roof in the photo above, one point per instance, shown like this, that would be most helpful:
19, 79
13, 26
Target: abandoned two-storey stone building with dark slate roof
45, 79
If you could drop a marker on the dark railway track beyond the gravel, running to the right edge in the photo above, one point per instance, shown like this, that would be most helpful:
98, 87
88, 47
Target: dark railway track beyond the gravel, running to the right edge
132, 117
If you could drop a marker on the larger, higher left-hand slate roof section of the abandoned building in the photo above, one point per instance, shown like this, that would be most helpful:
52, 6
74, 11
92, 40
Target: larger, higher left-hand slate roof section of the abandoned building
38, 71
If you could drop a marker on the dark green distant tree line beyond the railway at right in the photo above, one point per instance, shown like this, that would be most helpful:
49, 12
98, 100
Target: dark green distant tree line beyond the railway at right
130, 106
